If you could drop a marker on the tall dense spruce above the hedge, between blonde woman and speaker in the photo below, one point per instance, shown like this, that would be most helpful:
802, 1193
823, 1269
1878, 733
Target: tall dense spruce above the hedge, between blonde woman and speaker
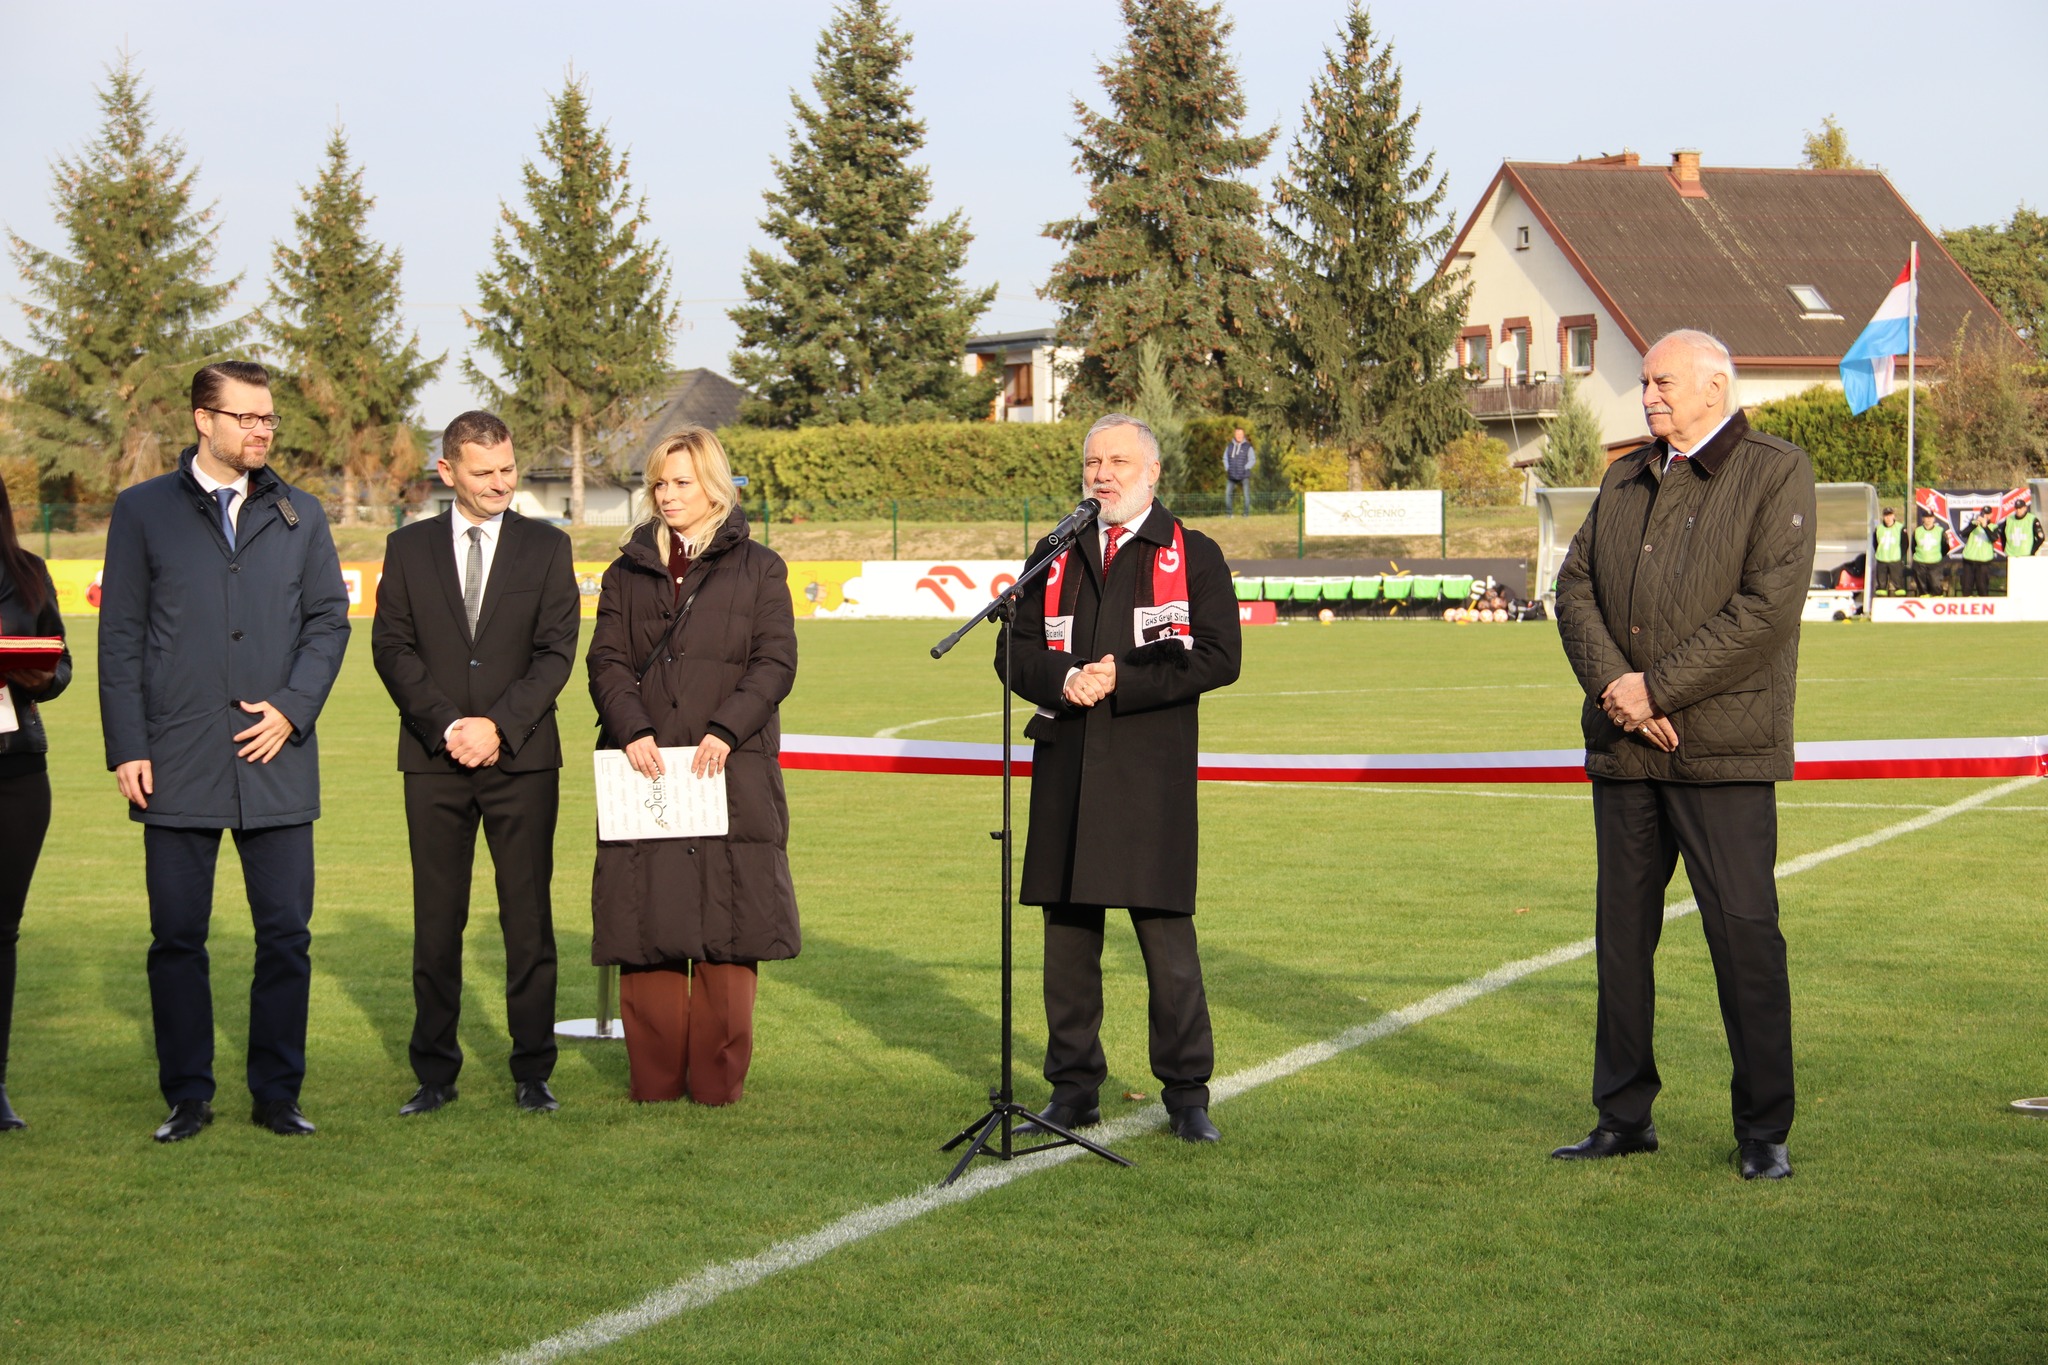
863, 316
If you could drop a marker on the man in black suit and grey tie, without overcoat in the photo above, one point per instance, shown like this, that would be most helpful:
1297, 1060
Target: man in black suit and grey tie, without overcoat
474, 640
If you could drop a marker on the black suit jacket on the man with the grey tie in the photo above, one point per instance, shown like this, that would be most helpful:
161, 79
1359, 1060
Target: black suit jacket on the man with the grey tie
515, 666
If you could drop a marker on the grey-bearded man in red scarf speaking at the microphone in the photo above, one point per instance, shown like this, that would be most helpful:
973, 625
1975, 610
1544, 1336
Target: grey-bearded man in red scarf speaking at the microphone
1134, 625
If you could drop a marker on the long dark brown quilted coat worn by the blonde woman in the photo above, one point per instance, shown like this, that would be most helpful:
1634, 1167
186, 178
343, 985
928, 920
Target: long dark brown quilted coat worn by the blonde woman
724, 672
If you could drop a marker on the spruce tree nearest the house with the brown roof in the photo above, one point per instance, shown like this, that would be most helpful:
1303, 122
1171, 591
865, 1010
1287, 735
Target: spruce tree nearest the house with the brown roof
1363, 331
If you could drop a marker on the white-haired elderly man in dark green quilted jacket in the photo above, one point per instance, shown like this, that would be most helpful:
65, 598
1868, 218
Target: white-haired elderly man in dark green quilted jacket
1680, 607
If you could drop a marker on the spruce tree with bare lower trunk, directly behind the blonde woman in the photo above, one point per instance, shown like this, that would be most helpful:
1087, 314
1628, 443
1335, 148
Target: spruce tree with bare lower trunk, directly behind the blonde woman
574, 310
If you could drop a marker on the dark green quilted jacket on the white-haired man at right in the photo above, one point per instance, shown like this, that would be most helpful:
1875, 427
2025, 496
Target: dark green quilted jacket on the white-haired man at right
1695, 580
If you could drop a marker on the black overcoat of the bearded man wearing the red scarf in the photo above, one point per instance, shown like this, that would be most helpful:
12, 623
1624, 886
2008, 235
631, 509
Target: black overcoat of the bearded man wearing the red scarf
1113, 807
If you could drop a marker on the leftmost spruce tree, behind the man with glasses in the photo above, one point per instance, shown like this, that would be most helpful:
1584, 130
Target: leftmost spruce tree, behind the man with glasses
122, 318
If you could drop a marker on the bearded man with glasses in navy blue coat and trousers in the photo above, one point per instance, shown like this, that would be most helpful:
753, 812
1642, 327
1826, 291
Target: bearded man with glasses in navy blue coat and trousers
222, 627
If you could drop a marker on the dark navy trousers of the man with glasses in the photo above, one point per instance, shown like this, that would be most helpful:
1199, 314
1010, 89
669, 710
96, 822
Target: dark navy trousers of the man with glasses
278, 871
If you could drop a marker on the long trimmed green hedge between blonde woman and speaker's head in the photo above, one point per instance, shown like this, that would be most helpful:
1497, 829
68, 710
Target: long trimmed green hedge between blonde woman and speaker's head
857, 470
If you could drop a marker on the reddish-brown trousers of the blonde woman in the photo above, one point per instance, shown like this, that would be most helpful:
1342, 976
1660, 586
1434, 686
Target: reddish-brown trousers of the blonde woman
689, 1028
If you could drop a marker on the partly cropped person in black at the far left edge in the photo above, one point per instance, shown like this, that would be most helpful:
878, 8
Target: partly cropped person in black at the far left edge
28, 607
